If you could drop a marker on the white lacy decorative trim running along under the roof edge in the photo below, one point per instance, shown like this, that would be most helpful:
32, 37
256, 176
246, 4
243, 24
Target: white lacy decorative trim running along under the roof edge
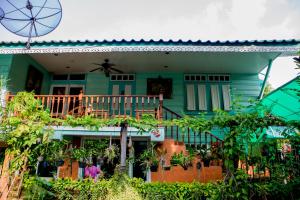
153, 48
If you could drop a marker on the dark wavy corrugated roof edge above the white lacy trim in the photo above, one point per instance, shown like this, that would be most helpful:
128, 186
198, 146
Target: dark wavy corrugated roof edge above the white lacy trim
157, 42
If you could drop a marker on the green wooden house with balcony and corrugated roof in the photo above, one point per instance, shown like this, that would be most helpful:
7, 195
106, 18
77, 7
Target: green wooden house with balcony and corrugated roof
168, 79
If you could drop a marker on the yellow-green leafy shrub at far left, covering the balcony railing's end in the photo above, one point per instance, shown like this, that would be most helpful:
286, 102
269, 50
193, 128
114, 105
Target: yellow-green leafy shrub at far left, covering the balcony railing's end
24, 124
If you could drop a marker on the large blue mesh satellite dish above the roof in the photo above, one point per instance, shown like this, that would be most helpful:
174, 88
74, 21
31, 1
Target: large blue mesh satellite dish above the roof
30, 18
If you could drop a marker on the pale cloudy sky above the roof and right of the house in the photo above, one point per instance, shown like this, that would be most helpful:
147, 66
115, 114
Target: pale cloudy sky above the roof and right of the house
181, 19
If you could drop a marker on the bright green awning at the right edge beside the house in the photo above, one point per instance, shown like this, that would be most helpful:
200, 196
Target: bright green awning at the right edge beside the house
285, 101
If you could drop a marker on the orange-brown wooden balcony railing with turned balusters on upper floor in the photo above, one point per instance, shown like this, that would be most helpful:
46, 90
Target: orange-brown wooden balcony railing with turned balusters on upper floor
102, 106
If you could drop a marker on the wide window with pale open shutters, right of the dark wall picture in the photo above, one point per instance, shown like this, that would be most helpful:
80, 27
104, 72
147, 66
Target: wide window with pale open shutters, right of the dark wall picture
207, 92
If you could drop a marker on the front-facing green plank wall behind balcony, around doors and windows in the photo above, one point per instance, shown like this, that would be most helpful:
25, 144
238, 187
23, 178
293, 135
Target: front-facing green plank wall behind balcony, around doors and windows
243, 88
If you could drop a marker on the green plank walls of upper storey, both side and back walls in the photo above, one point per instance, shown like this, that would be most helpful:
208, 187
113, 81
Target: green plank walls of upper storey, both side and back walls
243, 86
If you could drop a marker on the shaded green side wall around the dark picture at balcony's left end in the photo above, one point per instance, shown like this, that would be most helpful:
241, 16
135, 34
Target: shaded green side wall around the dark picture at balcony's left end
18, 74
